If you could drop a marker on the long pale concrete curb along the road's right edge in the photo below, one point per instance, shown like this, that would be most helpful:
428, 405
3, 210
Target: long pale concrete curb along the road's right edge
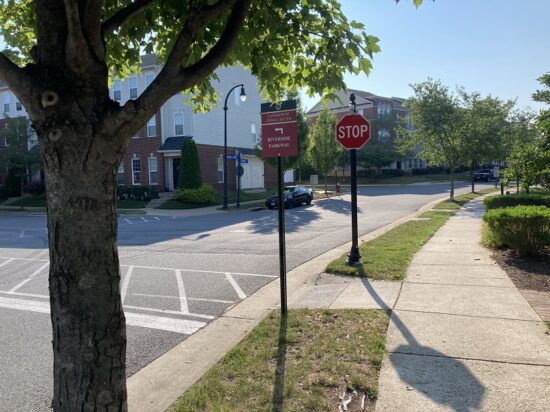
159, 384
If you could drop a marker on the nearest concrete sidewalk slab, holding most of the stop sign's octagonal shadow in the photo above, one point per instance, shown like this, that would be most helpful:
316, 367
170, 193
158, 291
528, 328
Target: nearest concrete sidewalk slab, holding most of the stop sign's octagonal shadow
436, 383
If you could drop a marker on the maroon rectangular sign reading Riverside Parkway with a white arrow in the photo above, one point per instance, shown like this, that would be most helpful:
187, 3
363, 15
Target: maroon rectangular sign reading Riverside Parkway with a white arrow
279, 129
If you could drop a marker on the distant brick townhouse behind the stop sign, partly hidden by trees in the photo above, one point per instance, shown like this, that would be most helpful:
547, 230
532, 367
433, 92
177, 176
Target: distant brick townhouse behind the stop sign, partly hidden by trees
383, 114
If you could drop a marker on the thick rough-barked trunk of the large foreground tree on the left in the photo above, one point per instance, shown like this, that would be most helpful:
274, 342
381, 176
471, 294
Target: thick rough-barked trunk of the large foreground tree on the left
89, 334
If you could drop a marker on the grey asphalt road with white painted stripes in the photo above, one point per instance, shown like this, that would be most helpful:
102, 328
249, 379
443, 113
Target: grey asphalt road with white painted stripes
178, 273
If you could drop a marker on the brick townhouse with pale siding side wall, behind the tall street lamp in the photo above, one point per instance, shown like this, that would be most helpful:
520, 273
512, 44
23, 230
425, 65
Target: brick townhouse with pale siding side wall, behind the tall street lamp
152, 157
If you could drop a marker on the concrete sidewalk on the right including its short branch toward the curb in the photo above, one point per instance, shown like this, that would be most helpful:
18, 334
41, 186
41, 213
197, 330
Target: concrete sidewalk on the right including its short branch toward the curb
461, 336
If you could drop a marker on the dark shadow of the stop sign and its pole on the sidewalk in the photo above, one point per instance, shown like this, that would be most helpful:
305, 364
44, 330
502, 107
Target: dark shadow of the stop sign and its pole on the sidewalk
445, 380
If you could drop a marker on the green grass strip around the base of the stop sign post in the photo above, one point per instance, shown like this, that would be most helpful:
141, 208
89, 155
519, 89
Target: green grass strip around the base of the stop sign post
387, 257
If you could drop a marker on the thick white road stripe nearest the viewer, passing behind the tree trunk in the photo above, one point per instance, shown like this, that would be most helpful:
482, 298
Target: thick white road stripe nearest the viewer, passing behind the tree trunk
184, 326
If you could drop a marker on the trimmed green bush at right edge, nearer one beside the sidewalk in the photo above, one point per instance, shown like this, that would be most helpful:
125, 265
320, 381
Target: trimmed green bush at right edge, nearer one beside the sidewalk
525, 228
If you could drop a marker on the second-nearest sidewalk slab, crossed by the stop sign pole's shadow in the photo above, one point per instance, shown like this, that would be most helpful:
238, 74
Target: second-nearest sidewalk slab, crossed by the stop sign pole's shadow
469, 337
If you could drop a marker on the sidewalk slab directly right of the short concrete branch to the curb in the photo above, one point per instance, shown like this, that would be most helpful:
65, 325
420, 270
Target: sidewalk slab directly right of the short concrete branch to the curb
495, 302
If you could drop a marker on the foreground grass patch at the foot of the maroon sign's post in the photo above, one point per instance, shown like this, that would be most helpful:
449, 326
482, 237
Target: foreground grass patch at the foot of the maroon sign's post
298, 365
